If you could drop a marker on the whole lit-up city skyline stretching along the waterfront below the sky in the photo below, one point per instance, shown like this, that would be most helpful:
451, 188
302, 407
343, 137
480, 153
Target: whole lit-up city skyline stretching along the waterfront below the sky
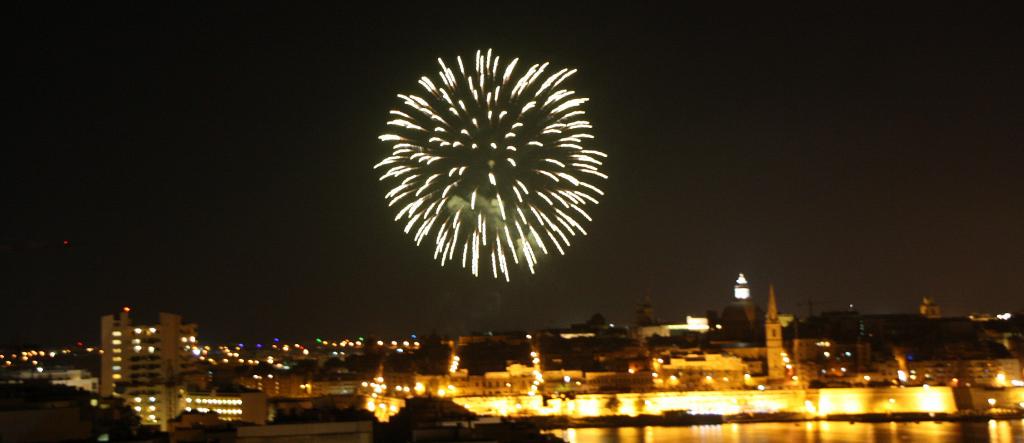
742, 363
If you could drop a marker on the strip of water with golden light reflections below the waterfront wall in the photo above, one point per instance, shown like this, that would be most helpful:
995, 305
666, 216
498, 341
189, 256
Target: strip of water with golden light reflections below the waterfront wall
825, 432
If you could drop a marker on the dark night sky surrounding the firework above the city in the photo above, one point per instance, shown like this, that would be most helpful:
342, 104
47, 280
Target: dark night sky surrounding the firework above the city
216, 162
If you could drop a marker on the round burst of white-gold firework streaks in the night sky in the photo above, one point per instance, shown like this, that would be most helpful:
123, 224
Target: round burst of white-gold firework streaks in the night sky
492, 164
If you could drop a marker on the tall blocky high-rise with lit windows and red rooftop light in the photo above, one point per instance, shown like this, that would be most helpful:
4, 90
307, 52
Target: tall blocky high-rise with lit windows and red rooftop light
145, 364
